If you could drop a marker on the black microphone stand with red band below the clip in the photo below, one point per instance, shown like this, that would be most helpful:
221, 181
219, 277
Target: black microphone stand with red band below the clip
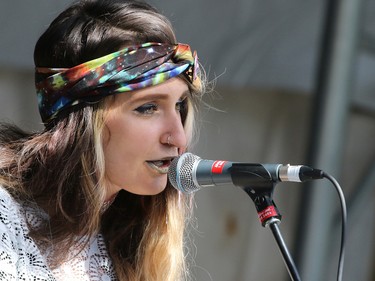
270, 216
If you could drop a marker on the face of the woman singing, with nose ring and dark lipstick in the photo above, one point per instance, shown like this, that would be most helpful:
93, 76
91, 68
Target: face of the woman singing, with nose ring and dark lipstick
139, 125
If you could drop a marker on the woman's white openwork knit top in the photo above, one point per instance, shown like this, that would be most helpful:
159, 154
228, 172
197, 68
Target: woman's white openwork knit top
20, 258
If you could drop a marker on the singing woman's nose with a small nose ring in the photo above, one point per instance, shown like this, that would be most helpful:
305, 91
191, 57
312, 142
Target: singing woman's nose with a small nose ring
174, 134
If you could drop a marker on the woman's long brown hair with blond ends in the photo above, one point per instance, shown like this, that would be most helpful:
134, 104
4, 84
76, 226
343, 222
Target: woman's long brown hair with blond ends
62, 168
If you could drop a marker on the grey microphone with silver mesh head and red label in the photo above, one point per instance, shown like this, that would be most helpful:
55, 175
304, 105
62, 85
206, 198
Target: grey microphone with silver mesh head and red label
189, 173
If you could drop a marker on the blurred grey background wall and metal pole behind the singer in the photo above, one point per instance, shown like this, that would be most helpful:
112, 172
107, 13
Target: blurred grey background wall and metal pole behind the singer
294, 84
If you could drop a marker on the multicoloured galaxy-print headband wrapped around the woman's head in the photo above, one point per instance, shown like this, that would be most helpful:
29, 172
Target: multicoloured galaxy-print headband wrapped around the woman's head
135, 67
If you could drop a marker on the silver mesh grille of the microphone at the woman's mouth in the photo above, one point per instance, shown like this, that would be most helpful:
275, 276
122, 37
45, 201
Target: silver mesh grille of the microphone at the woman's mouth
181, 173
